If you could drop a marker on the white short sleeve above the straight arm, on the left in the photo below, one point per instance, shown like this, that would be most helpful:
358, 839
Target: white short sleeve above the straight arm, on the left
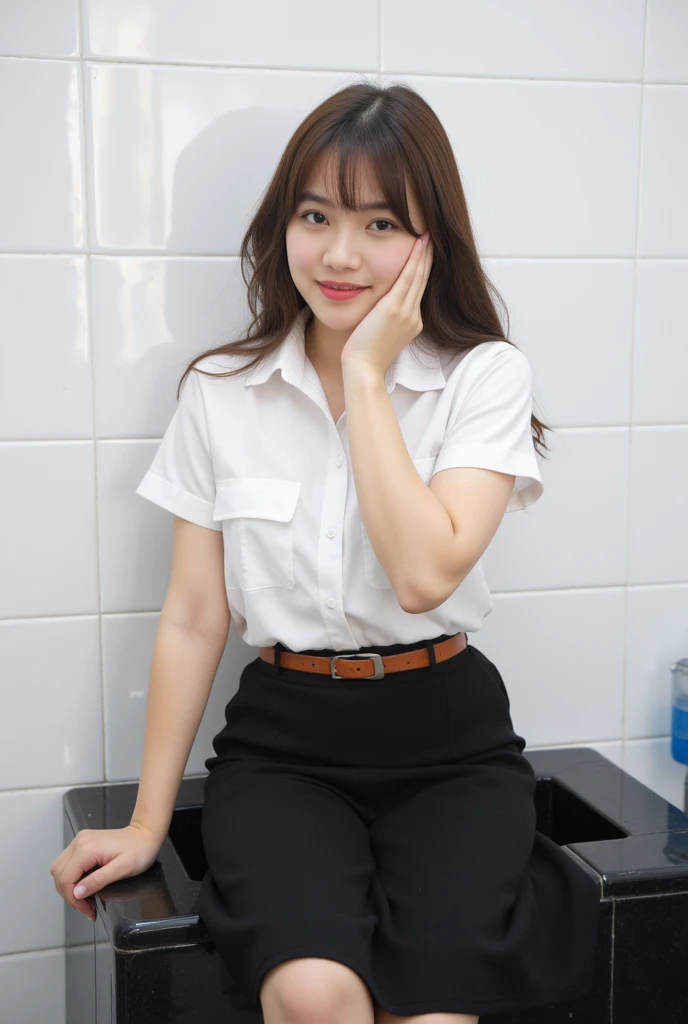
182, 479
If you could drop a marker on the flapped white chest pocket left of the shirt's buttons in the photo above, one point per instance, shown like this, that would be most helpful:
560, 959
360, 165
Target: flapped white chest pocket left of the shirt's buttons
257, 517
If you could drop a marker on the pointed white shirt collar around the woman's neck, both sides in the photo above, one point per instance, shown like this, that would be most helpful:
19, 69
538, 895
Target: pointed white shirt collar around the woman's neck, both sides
420, 371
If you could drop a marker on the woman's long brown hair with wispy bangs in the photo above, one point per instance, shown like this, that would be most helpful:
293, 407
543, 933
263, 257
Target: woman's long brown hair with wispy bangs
397, 134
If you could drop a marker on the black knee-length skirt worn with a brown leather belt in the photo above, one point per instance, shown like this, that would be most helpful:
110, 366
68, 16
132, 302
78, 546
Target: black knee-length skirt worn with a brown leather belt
391, 825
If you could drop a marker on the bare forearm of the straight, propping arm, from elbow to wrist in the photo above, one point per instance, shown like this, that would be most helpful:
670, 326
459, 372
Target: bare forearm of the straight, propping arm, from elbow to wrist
183, 670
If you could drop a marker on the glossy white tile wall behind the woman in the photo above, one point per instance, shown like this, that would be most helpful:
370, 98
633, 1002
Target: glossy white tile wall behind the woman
138, 138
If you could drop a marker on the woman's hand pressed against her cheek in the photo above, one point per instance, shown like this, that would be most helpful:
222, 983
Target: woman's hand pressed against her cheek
396, 319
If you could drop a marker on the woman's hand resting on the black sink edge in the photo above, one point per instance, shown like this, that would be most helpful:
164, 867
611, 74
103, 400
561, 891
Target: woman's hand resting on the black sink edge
120, 852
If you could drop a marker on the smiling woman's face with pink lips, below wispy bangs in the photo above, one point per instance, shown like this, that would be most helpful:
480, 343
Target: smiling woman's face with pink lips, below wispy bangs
369, 248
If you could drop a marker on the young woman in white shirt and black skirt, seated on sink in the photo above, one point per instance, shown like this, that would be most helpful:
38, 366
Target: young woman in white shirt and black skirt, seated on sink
369, 818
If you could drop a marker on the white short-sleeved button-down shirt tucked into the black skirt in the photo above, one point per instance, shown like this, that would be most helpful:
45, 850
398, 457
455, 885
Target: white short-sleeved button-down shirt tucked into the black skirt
260, 457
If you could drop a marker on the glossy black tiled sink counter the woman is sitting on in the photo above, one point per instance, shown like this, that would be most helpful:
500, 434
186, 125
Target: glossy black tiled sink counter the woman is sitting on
149, 960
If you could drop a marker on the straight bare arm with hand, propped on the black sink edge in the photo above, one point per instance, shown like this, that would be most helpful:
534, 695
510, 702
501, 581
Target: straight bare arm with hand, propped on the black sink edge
192, 635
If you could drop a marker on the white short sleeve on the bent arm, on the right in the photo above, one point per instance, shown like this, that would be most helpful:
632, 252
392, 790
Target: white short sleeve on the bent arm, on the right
491, 428
